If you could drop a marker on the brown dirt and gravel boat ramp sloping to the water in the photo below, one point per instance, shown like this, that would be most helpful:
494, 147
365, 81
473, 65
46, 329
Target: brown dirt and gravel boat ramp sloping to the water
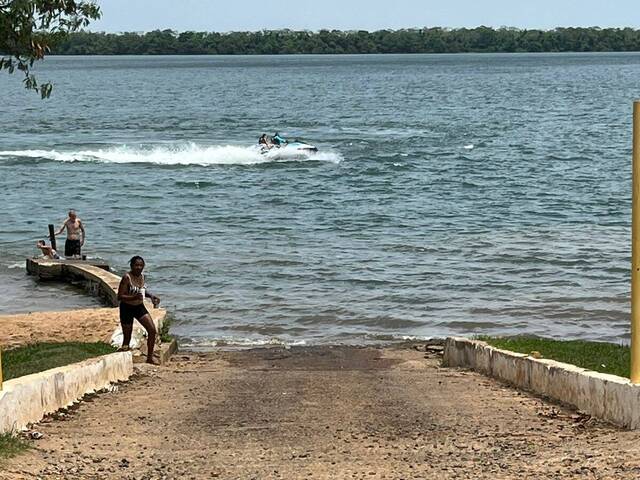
322, 413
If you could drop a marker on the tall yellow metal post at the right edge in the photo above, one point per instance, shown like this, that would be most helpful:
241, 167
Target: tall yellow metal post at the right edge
635, 249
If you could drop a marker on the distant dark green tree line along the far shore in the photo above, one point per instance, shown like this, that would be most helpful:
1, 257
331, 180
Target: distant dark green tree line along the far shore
424, 40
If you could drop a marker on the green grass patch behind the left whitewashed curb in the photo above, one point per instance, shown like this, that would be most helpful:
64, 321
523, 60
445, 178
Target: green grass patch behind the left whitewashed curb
43, 356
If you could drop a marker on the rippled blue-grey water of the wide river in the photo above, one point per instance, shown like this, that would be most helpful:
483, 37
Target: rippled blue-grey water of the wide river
452, 194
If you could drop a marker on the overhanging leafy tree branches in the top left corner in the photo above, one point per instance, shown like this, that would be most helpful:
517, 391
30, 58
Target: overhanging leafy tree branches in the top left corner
29, 28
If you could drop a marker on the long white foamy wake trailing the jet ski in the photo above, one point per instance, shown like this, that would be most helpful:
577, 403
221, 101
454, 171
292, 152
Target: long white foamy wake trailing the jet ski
182, 154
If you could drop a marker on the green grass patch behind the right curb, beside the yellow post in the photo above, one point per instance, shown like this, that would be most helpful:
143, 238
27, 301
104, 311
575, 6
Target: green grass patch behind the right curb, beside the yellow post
597, 356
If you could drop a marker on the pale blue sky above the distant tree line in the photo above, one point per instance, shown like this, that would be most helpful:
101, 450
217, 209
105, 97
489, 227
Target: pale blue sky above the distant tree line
223, 16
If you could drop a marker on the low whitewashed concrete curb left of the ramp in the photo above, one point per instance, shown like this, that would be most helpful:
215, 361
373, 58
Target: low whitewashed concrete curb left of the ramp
28, 399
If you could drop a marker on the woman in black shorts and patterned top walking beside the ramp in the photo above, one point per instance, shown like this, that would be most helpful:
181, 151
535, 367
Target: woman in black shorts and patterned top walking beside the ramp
131, 293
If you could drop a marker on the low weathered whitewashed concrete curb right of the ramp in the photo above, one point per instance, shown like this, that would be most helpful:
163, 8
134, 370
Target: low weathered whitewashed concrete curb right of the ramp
609, 397
